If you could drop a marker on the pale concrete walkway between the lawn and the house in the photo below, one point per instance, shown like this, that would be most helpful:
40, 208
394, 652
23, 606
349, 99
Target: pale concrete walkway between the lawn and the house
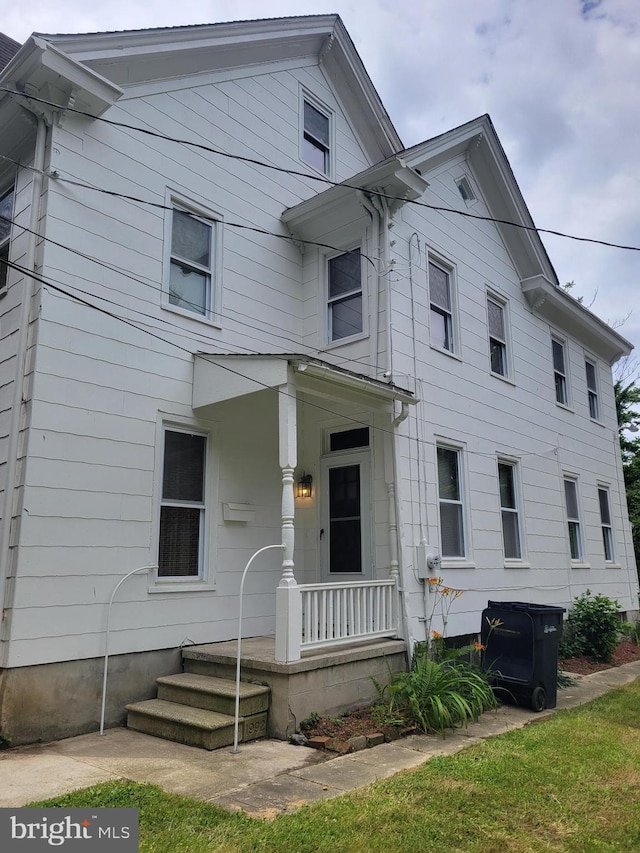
265, 778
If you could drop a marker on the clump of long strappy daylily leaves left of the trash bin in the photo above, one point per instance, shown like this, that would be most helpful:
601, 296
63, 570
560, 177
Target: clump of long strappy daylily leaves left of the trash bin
435, 695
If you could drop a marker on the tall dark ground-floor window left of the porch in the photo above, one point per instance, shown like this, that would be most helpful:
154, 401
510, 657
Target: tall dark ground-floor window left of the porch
180, 551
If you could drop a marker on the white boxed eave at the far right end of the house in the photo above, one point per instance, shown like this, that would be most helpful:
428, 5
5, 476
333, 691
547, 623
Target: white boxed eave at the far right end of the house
550, 302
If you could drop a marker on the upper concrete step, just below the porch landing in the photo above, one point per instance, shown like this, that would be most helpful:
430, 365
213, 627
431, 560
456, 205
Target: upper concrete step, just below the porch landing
213, 694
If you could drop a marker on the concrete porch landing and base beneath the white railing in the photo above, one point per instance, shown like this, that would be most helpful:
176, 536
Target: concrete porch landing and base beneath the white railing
326, 682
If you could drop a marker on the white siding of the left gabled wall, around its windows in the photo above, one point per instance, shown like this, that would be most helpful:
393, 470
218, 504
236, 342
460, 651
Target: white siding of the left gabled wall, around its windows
103, 386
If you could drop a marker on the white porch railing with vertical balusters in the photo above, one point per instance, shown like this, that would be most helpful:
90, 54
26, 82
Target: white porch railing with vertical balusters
347, 612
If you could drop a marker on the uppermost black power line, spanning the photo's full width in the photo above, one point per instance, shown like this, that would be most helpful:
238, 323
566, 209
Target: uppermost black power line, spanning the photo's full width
296, 173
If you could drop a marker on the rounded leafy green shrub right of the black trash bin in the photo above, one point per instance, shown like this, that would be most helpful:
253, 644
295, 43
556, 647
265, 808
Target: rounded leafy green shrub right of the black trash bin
592, 627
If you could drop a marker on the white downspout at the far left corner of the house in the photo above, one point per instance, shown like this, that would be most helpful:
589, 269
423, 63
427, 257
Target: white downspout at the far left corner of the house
6, 587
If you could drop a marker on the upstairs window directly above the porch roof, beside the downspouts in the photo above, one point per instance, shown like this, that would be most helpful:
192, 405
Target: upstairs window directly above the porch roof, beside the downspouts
345, 295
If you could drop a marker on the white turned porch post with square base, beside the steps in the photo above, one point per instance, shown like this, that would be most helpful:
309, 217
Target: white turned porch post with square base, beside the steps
288, 598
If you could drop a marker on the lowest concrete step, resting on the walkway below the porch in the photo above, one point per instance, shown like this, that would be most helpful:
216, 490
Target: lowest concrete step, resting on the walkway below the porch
192, 726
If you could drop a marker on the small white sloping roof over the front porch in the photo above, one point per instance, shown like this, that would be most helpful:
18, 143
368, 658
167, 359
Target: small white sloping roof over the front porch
218, 377
